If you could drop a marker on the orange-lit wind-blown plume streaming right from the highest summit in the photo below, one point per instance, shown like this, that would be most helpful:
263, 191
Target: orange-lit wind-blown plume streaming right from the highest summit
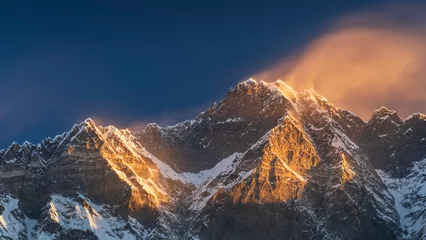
364, 61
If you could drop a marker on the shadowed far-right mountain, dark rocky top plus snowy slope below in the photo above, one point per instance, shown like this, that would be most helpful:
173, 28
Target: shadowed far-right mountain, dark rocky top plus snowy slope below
397, 150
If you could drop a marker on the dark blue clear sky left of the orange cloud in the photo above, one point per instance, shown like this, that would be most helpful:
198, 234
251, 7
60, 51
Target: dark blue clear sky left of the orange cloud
132, 62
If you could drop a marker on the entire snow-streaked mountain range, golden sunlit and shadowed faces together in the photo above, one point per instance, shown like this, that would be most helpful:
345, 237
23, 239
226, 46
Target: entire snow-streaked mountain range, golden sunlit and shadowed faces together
266, 162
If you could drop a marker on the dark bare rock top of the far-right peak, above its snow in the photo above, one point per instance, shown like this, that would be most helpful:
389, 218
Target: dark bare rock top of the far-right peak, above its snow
394, 145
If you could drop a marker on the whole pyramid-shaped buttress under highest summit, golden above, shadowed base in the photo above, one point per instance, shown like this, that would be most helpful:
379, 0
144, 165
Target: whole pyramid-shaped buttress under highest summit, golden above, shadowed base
309, 181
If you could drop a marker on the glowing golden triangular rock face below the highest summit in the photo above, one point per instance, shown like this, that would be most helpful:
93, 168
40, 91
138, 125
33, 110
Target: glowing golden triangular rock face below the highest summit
283, 168
